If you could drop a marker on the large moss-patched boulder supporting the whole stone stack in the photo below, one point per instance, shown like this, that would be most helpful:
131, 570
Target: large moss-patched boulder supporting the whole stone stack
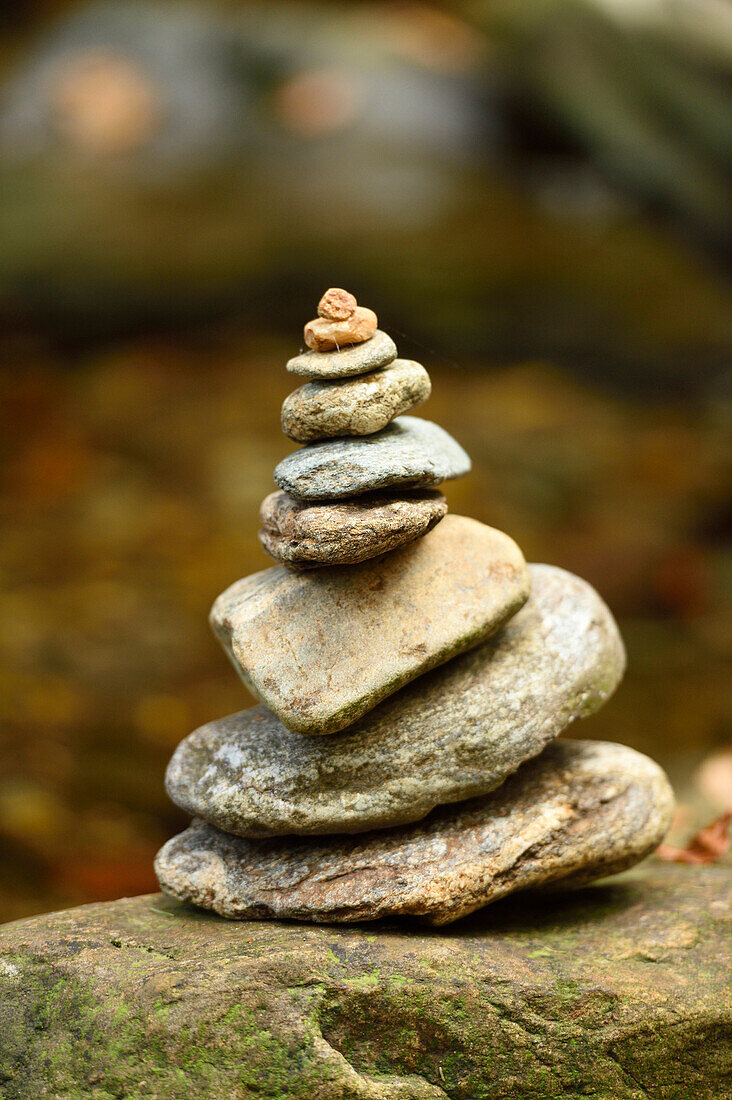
615, 992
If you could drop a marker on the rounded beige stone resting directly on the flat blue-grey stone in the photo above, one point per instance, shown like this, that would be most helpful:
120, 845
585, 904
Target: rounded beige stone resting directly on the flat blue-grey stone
357, 406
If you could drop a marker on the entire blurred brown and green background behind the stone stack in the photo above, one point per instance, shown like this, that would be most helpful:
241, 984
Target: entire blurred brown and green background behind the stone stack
534, 196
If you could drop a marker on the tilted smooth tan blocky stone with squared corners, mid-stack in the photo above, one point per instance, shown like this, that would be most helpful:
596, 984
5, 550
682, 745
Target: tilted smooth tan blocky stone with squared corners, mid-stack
324, 647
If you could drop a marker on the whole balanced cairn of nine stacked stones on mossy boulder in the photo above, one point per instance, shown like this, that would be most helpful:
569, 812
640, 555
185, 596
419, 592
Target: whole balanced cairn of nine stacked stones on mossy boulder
414, 676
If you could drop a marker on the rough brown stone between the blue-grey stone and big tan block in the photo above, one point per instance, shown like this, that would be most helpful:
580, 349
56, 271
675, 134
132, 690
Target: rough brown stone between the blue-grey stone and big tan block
345, 533
